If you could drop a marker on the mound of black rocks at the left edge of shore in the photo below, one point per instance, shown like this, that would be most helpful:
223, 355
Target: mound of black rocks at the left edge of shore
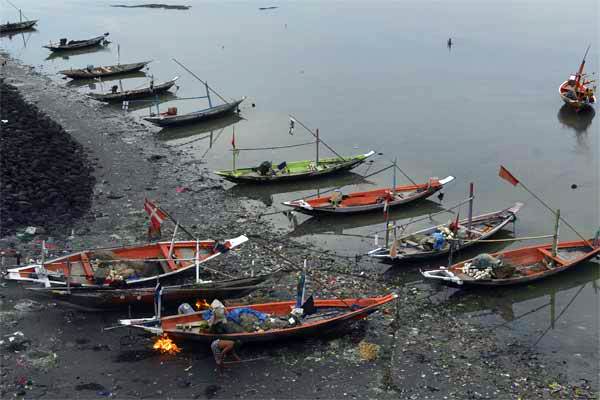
45, 176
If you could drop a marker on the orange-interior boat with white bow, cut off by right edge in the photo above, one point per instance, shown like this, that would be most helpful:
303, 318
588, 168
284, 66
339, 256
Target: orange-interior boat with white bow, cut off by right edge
530, 264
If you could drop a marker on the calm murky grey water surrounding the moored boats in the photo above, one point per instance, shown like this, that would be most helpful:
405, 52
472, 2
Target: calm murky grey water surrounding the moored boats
378, 75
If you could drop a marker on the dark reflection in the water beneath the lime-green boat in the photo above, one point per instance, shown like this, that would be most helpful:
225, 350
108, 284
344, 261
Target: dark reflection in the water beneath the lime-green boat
266, 193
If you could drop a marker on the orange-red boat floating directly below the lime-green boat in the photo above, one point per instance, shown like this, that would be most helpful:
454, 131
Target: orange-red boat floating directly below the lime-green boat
359, 202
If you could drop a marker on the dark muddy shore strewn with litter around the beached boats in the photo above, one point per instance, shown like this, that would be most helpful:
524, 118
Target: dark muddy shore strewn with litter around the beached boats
425, 349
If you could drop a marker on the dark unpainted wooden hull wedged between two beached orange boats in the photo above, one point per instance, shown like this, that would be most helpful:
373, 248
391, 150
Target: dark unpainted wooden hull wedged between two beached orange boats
114, 298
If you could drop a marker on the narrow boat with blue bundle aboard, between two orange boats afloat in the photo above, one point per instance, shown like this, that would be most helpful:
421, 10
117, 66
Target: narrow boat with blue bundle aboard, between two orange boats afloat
421, 244
